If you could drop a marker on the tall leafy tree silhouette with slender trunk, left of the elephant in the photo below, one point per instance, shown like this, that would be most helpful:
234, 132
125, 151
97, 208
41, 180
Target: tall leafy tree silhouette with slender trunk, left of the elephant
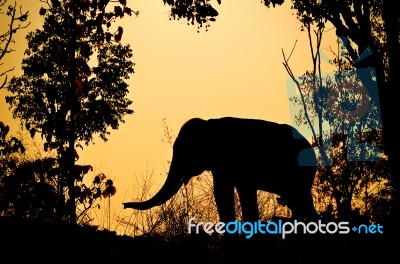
74, 82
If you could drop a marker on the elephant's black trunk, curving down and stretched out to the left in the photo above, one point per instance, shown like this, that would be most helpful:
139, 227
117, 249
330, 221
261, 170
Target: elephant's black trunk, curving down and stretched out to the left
170, 188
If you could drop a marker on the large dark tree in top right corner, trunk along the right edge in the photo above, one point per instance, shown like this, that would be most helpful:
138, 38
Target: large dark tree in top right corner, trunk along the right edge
371, 30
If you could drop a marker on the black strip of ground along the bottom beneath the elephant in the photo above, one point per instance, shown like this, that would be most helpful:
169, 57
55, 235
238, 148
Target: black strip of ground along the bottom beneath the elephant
46, 242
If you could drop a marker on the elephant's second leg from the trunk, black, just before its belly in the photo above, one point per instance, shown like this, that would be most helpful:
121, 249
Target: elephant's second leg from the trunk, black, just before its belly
248, 202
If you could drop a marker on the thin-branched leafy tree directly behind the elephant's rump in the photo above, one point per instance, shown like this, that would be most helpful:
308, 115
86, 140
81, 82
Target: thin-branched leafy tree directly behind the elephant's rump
346, 128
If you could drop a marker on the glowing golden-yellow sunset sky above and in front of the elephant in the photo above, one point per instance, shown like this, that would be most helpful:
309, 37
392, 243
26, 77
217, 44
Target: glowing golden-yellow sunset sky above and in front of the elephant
234, 69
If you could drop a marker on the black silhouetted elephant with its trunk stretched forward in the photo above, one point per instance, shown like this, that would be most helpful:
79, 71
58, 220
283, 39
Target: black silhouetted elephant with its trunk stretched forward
246, 154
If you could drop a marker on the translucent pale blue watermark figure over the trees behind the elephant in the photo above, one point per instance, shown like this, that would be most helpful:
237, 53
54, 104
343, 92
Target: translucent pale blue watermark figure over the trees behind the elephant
345, 101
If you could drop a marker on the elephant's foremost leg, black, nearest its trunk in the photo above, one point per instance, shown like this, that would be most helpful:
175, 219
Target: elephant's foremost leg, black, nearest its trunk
224, 197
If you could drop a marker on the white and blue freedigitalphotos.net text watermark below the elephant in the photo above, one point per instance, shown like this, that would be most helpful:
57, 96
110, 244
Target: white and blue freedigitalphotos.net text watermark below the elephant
249, 229
